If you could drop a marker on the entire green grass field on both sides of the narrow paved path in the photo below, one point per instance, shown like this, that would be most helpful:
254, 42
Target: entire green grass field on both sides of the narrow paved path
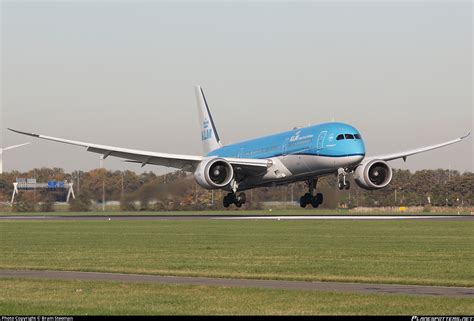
406, 252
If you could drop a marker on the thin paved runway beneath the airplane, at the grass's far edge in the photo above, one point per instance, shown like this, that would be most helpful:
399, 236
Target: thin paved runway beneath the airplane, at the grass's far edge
241, 217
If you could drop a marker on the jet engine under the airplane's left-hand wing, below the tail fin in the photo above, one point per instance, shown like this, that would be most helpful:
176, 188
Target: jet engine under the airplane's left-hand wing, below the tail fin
214, 173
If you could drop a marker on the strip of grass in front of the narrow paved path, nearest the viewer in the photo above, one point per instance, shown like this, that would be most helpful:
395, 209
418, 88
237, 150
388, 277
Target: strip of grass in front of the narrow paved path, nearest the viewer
53, 297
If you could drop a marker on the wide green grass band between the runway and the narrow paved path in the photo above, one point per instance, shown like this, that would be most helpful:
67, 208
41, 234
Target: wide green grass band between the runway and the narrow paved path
405, 252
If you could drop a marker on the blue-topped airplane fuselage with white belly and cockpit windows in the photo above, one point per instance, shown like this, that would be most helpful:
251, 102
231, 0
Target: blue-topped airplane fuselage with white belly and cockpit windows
299, 154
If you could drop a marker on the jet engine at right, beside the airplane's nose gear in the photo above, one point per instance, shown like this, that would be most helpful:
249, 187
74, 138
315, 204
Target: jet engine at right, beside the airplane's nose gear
375, 174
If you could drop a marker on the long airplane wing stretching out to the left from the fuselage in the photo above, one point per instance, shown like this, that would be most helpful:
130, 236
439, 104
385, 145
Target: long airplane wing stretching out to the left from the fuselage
184, 162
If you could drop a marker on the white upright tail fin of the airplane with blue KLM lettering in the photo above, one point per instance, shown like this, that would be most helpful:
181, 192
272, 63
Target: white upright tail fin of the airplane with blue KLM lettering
209, 136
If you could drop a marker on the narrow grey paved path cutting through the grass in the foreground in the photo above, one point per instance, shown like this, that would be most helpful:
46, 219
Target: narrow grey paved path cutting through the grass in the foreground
246, 283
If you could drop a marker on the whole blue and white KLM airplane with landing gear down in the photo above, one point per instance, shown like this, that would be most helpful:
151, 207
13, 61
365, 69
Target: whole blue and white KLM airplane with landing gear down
300, 154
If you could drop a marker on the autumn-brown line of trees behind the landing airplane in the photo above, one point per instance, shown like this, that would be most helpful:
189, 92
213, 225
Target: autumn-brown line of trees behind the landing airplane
178, 191
